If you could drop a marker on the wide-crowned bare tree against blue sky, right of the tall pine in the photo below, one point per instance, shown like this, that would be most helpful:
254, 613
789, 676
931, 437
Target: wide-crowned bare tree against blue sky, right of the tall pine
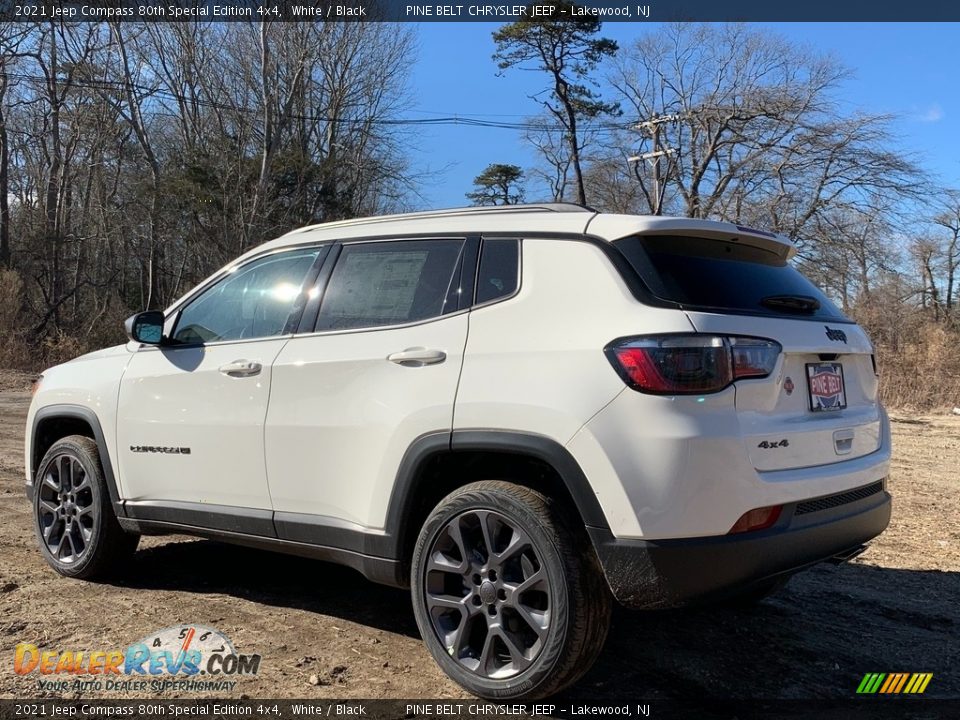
756, 131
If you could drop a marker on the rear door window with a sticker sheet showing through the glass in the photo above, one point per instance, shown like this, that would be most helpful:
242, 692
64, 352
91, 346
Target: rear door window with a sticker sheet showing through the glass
391, 283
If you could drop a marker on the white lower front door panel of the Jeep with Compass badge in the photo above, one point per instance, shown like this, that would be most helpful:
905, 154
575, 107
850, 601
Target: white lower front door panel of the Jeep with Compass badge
177, 397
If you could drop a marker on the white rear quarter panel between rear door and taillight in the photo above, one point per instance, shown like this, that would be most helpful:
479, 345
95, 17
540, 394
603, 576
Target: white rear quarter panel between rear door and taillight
532, 375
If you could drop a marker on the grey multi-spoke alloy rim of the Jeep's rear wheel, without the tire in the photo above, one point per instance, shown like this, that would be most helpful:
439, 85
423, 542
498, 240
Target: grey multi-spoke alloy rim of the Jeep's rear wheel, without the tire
487, 594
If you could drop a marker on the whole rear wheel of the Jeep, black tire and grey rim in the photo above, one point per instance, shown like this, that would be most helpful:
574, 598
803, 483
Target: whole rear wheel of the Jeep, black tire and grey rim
530, 617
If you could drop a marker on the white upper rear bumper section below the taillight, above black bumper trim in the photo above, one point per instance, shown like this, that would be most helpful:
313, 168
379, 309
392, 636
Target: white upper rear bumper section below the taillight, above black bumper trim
686, 473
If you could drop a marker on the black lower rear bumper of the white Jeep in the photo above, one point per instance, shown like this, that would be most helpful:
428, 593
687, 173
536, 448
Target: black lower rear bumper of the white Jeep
669, 573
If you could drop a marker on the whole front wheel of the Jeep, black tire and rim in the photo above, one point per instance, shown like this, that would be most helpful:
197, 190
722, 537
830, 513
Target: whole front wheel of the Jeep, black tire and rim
73, 518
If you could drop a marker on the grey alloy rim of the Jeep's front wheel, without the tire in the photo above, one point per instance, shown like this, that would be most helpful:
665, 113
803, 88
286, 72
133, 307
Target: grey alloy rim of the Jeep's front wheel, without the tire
66, 509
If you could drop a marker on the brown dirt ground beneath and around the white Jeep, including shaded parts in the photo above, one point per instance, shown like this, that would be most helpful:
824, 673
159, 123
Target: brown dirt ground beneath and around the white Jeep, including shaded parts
325, 632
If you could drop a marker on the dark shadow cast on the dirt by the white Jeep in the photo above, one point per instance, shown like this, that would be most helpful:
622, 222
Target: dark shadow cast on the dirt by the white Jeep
816, 638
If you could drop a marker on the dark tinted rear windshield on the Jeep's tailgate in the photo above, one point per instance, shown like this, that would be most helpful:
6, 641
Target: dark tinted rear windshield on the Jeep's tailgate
714, 275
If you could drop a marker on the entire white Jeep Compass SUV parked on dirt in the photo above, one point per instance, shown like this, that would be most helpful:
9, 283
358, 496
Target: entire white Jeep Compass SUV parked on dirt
520, 413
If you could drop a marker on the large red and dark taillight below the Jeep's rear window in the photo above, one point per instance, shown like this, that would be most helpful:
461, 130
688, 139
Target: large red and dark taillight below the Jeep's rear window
690, 364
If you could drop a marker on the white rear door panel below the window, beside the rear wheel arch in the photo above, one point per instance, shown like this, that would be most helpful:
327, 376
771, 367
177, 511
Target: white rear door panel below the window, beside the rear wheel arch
342, 416
